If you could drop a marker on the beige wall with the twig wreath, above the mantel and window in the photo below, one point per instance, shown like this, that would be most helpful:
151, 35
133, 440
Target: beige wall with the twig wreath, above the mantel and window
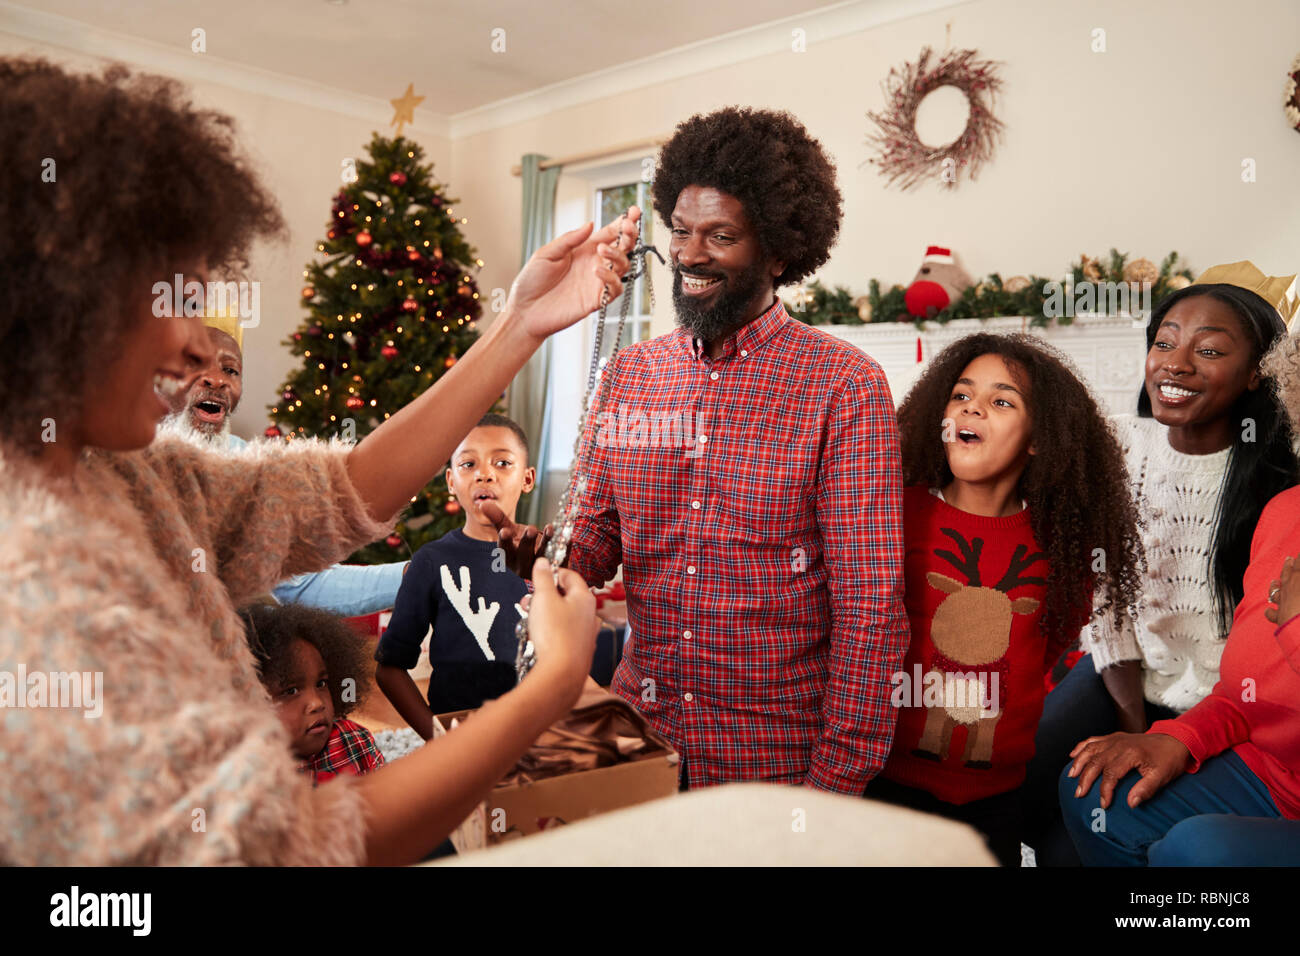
1139, 148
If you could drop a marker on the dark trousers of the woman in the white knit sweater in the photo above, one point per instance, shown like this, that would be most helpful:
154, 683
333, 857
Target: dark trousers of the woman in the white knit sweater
1078, 708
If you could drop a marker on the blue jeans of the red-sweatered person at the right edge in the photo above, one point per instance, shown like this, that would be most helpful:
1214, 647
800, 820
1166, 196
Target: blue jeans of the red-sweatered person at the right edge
1175, 828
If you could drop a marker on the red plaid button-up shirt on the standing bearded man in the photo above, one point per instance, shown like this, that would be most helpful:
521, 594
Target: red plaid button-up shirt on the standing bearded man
756, 504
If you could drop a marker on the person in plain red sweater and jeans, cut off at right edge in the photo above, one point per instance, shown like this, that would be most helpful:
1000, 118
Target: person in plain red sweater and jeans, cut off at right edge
1221, 784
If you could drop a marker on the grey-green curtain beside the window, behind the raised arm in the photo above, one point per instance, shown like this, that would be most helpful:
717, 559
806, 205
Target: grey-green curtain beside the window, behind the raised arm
530, 396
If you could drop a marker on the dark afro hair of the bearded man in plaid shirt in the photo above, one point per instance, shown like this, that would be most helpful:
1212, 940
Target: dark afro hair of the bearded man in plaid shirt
768, 161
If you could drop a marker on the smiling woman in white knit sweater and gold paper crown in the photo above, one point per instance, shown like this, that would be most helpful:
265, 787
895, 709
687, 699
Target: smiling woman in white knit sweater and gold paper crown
1206, 453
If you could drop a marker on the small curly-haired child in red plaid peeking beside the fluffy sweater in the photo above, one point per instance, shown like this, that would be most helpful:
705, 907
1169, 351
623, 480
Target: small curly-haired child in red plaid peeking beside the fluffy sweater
317, 671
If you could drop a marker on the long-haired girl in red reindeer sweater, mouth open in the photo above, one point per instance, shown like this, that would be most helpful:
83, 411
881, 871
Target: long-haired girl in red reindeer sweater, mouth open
1016, 511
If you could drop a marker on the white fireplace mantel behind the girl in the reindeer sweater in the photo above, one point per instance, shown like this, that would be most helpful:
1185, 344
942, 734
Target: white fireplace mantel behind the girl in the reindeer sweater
1108, 352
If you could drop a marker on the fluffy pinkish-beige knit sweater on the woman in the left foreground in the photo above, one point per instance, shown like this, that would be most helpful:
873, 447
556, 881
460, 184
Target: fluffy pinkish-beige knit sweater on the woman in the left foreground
136, 572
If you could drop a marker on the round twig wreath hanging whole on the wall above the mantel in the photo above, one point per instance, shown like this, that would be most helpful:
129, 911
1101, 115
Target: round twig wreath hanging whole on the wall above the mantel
903, 158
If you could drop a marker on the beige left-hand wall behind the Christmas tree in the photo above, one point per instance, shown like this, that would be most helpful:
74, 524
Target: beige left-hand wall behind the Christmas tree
300, 152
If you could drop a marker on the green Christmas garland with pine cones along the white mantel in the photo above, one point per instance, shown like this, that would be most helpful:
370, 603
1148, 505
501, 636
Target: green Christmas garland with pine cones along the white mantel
990, 299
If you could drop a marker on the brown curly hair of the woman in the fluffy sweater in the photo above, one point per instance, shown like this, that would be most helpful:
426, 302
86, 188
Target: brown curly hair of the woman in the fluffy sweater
146, 184
